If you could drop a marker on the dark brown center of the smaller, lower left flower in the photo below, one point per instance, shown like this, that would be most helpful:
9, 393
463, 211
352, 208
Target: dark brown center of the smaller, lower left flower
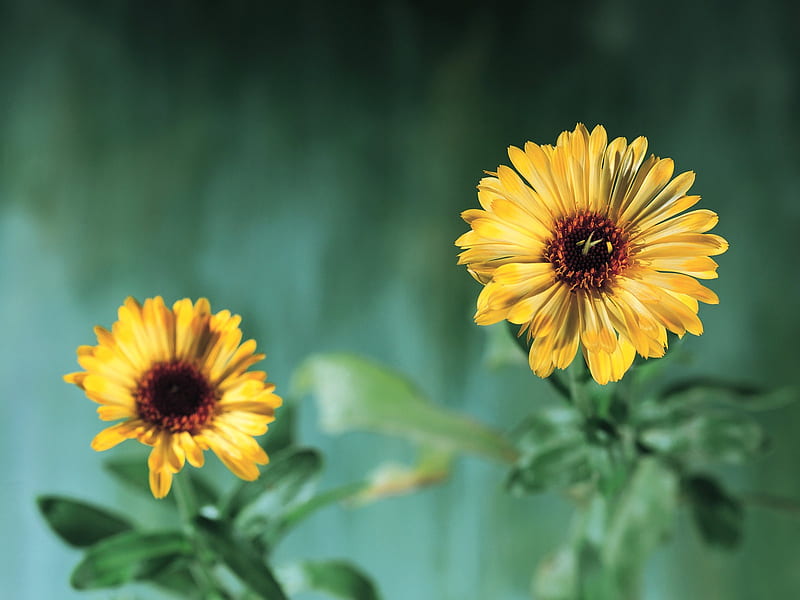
175, 396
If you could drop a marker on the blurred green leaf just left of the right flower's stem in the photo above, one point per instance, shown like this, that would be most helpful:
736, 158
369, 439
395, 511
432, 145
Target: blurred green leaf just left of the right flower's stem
554, 452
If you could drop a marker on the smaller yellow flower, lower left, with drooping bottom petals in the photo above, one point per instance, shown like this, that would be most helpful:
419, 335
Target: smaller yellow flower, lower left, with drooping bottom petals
178, 378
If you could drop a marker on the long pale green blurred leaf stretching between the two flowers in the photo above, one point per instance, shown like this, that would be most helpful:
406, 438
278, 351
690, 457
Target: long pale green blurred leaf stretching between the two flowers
355, 394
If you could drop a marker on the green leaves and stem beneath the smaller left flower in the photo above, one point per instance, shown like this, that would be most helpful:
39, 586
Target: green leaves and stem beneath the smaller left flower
247, 524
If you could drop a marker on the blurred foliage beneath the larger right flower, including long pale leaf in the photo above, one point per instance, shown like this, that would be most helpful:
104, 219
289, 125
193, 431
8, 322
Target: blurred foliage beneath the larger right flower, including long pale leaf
624, 458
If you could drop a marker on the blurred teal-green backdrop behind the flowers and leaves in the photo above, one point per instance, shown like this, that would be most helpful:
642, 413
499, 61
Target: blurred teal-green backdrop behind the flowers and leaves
304, 164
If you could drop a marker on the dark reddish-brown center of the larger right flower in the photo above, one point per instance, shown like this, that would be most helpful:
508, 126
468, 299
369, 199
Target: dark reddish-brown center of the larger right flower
587, 251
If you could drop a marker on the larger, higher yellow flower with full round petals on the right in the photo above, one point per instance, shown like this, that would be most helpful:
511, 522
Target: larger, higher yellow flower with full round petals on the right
584, 245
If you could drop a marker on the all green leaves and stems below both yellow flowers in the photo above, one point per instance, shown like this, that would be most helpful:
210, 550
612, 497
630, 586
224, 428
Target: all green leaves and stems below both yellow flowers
629, 456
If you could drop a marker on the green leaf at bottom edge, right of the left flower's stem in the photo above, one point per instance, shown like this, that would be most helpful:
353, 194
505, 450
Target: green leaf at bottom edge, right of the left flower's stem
339, 579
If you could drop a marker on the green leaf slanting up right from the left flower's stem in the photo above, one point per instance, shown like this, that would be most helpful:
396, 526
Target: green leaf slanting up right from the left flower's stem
286, 480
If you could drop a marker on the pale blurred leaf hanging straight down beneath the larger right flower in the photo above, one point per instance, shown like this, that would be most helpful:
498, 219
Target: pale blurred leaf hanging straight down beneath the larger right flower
641, 519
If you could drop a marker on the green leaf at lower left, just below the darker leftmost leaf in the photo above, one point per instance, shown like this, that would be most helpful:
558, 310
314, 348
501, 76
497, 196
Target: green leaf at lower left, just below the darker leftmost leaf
128, 556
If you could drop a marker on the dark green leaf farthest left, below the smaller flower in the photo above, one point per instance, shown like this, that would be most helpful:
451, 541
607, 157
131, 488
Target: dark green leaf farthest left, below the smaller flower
78, 523
